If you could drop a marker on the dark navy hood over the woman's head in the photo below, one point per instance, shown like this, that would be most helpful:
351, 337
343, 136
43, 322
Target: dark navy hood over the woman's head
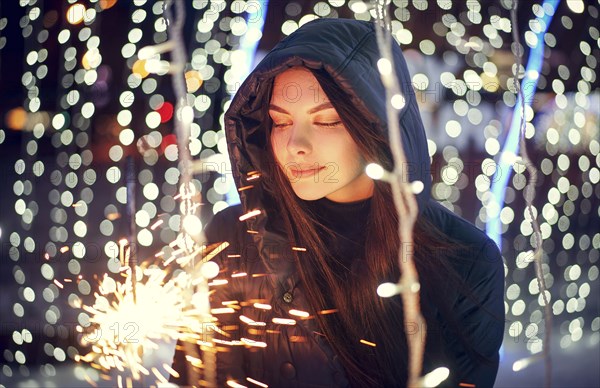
347, 50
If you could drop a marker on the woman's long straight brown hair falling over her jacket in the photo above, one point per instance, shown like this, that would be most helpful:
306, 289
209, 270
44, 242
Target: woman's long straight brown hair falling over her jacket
362, 314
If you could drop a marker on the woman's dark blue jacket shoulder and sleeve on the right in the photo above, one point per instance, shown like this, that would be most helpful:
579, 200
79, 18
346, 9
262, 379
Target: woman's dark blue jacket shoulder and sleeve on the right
482, 320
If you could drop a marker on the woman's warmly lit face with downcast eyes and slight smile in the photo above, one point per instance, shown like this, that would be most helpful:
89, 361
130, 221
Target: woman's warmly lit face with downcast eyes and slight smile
311, 144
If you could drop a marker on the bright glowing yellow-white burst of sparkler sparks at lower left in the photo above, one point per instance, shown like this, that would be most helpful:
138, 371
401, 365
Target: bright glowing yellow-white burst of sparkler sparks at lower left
122, 329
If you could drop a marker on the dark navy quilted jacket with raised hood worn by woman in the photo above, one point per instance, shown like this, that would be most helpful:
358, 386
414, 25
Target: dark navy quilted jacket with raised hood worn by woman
297, 355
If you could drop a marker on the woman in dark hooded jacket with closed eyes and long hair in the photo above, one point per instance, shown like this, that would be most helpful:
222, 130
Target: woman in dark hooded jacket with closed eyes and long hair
302, 274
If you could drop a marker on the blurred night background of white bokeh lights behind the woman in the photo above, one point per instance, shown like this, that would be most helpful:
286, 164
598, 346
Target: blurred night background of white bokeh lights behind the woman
75, 101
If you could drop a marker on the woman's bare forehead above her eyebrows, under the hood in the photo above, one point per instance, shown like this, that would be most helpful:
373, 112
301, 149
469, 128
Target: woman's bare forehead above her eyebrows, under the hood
297, 85
